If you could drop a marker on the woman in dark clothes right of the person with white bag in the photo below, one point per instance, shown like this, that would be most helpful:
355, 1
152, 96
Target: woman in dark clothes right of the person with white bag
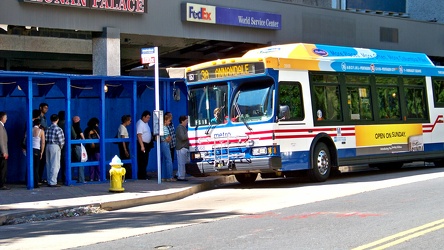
93, 149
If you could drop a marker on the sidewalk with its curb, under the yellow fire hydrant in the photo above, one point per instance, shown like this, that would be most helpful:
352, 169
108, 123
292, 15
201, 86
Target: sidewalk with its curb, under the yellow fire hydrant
20, 201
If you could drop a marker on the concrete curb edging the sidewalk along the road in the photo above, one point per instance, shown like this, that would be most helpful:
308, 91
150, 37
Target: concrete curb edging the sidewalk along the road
122, 204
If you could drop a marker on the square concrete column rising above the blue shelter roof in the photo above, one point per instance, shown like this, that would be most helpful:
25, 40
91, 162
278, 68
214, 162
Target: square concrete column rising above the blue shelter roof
106, 52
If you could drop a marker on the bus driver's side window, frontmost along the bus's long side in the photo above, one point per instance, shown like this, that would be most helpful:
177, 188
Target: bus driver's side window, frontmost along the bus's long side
290, 95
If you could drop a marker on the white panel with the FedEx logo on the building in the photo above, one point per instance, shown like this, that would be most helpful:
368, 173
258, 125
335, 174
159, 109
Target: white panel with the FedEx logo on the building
199, 13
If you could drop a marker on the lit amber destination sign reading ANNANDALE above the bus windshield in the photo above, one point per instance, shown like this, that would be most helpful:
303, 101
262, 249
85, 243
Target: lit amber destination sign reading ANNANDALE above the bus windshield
225, 71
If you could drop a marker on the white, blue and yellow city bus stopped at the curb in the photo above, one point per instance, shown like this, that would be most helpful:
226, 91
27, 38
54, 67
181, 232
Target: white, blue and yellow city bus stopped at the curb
280, 110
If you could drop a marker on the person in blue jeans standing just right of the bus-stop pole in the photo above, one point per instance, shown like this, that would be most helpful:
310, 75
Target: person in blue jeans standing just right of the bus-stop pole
167, 163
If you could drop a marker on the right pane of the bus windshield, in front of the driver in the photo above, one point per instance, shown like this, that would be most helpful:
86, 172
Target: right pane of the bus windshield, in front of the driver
253, 102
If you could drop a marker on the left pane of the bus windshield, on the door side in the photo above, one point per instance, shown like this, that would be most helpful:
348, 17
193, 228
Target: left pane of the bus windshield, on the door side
207, 104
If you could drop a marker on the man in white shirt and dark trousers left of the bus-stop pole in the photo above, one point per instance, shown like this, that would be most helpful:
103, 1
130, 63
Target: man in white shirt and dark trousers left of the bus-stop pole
144, 144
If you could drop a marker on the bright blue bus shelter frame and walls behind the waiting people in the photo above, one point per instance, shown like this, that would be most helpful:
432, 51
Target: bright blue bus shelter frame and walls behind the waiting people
104, 97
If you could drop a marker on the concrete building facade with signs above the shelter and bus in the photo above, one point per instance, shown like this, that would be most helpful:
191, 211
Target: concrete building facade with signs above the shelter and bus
83, 36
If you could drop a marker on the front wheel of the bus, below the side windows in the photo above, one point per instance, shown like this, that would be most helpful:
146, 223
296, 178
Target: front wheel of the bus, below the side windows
321, 163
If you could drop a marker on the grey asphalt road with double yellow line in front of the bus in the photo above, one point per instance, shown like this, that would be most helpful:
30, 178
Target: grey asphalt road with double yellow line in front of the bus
357, 210
